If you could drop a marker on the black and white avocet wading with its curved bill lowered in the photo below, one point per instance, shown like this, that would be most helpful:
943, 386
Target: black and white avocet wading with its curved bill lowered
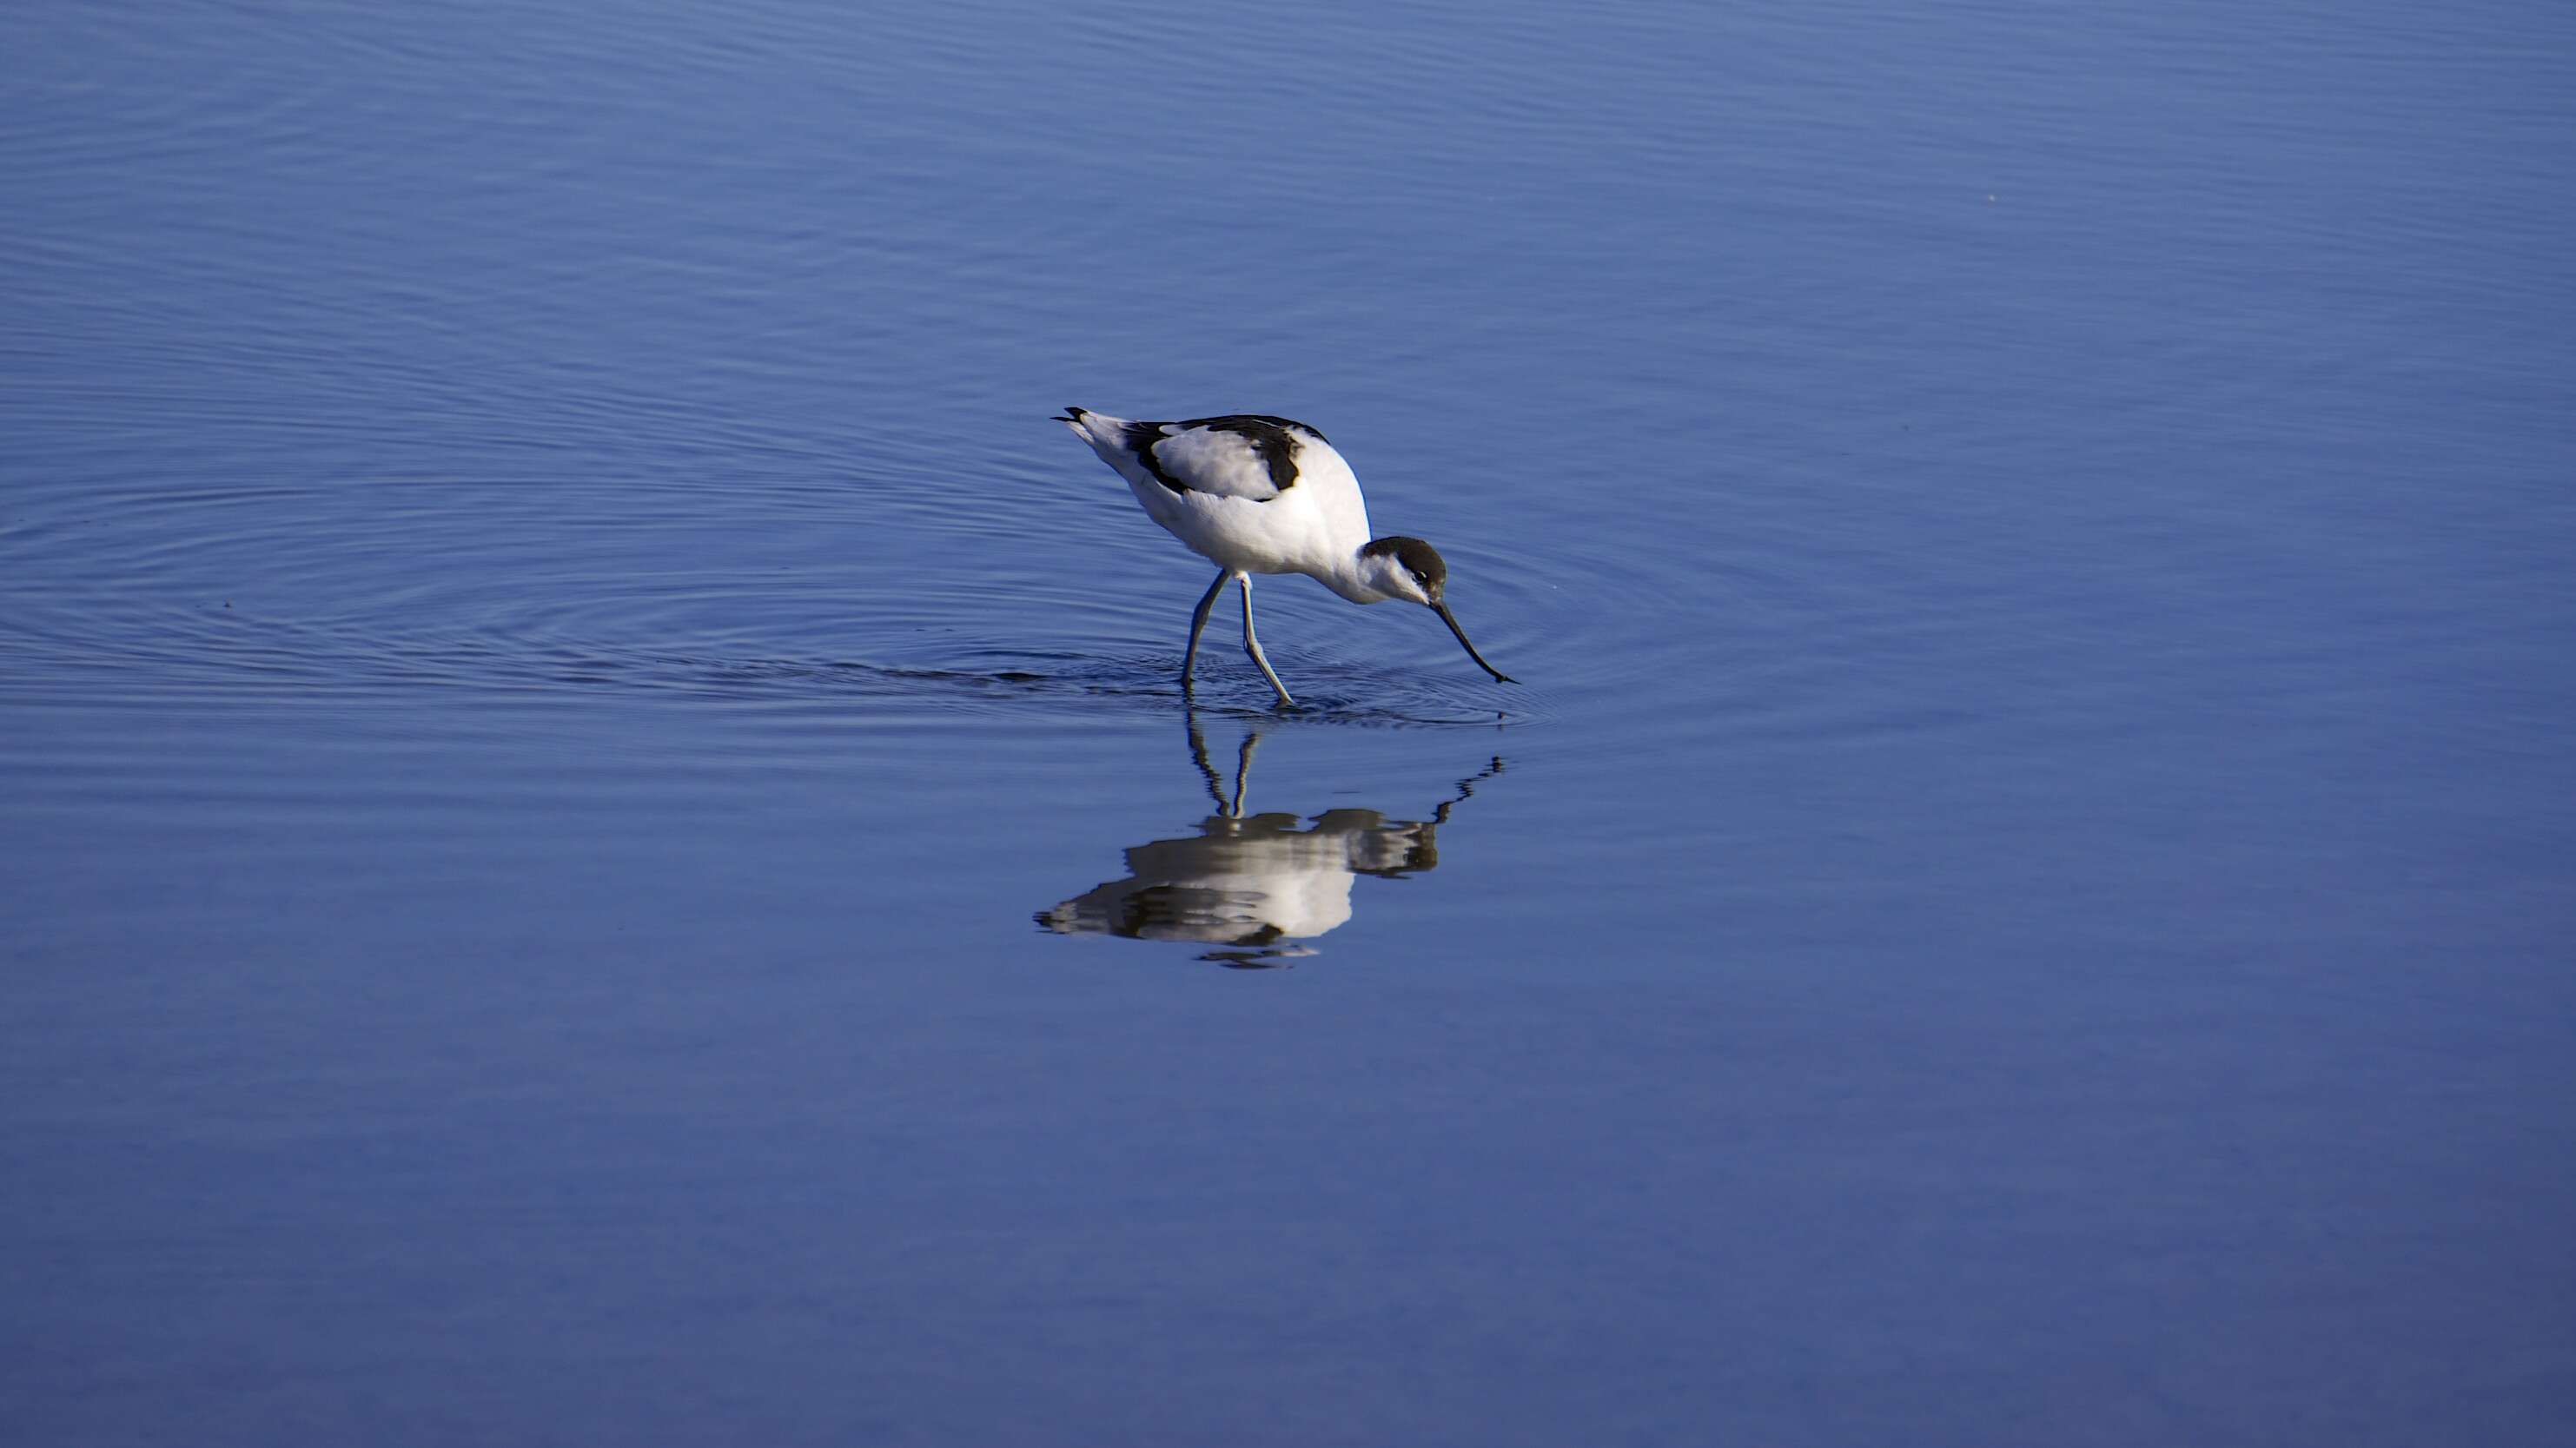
1258, 493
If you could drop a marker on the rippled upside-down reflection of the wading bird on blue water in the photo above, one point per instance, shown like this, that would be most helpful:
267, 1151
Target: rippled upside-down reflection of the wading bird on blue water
1256, 885
